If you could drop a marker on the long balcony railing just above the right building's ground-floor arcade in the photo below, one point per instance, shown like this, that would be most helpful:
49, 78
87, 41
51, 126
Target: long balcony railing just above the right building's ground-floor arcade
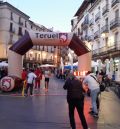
107, 49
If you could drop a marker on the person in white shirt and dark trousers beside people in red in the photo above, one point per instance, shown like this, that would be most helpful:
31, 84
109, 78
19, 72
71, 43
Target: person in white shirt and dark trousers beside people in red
30, 79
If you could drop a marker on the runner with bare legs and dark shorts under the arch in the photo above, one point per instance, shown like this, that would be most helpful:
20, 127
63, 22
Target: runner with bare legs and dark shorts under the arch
47, 75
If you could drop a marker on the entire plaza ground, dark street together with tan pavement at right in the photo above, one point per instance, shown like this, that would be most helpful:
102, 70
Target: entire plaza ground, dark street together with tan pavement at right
49, 110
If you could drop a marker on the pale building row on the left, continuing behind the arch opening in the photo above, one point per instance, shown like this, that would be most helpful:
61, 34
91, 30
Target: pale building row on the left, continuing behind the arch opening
14, 24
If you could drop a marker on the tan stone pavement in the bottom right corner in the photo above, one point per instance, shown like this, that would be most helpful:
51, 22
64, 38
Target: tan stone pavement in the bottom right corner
109, 116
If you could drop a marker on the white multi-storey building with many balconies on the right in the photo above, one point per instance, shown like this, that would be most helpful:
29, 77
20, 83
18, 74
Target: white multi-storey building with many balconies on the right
98, 25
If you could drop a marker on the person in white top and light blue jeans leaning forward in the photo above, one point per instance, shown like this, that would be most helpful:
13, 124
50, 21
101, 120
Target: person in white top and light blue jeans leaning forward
93, 85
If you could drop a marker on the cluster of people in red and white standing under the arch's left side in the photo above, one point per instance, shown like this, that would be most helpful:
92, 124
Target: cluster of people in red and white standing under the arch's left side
32, 79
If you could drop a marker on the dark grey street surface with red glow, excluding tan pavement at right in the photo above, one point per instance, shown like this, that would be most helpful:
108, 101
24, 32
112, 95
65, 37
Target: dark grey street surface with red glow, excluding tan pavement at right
42, 111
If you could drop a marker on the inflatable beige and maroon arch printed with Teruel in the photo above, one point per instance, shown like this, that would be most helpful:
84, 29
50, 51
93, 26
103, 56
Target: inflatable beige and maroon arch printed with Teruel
27, 41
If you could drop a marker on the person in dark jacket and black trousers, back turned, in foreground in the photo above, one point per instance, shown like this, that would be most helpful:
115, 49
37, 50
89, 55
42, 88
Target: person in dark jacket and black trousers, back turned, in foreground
75, 99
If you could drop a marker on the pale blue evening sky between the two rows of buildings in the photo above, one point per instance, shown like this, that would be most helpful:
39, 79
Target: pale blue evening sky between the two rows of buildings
50, 13
